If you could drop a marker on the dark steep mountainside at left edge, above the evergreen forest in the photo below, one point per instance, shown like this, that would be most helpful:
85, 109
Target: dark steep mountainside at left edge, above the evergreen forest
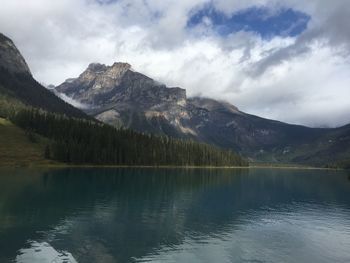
18, 85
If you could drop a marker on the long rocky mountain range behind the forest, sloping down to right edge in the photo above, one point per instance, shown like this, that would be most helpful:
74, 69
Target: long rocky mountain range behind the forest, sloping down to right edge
119, 96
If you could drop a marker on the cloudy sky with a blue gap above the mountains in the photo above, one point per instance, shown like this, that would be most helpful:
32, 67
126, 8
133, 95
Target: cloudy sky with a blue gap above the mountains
286, 60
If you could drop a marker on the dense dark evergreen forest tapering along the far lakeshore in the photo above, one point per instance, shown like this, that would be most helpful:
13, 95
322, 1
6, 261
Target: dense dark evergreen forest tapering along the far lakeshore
78, 141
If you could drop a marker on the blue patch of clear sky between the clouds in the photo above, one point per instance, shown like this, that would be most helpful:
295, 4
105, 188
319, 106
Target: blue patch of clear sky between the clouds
286, 22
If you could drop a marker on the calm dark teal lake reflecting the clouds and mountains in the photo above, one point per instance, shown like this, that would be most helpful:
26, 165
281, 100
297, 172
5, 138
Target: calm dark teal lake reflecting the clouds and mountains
174, 215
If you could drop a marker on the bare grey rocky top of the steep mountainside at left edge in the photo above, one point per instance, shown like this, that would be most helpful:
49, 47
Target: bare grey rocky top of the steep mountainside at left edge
10, 58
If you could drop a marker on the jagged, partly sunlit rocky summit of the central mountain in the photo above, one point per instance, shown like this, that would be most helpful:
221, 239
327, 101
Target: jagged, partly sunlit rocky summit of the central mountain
101, 86
